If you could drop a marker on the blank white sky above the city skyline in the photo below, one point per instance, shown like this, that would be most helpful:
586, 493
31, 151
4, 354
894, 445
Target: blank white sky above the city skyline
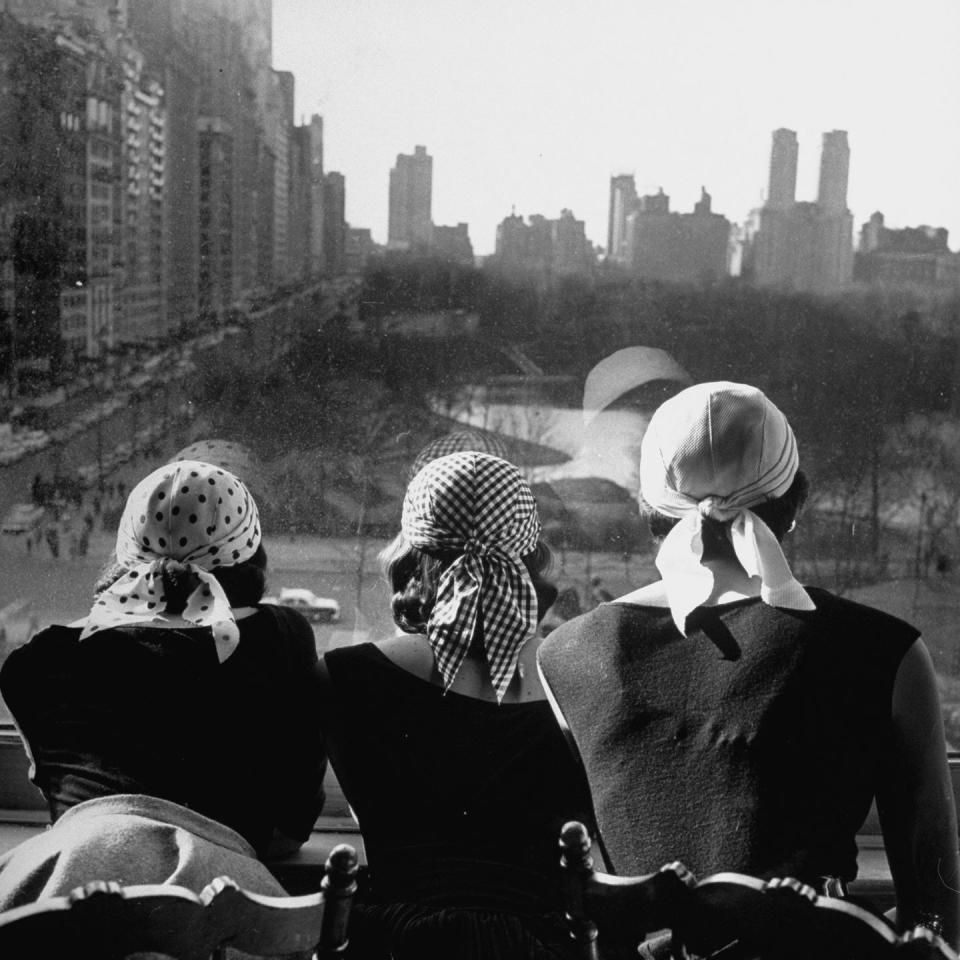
535, 103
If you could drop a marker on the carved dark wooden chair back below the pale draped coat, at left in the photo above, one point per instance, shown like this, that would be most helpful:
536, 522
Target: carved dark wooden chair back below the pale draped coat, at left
108, 922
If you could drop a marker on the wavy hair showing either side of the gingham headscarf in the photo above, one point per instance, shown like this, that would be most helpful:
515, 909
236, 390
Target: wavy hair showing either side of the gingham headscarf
413, 575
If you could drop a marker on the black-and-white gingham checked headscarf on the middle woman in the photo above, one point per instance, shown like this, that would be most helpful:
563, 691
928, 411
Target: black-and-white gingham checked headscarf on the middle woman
480, 507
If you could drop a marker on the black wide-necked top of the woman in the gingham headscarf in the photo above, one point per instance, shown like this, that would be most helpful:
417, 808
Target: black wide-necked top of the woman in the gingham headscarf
460, 801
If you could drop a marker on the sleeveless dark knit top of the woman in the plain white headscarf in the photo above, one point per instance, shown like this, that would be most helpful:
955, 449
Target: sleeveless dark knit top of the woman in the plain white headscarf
754, 744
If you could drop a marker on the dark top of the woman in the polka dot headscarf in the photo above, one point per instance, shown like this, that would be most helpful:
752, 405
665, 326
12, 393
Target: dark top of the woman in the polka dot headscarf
151, 711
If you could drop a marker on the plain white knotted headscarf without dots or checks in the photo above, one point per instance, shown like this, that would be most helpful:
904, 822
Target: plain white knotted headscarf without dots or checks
715, 450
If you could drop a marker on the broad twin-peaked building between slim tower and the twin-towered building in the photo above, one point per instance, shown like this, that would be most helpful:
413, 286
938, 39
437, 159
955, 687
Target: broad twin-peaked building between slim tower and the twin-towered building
677, 247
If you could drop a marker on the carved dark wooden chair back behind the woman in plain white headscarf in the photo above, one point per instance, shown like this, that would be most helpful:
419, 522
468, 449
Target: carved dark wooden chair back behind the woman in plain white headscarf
726, 916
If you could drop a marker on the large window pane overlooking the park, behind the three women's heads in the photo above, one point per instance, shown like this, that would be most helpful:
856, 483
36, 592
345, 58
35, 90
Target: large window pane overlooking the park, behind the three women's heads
322, 332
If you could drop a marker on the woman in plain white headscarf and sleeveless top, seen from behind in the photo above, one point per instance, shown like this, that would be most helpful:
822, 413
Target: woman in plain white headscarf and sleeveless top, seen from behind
731, 718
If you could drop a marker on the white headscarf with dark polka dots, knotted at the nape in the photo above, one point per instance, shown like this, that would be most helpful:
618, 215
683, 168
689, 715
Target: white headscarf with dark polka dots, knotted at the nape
192, 512
